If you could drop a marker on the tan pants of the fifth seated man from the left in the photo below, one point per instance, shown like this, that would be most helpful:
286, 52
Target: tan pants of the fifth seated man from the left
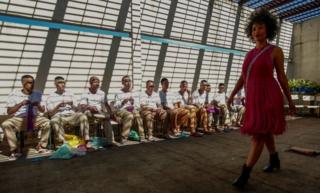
150, 117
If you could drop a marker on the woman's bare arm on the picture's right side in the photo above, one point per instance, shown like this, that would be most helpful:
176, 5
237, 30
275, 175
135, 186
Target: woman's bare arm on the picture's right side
278, 60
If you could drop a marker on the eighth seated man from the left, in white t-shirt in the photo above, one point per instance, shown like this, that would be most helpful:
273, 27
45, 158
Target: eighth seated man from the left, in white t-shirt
198, 100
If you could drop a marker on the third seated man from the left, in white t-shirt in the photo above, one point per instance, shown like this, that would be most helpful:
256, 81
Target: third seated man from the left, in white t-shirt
95, 105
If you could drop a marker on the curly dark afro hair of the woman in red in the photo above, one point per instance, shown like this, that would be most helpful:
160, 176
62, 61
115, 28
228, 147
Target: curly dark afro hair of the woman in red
263, 16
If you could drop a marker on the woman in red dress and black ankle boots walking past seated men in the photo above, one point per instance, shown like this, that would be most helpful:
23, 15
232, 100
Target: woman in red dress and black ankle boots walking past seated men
264, 115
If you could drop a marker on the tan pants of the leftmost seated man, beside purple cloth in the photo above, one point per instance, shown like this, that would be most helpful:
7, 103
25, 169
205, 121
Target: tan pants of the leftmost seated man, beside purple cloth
16, 124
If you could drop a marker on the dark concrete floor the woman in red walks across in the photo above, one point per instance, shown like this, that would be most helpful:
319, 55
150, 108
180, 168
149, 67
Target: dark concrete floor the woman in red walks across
193, 165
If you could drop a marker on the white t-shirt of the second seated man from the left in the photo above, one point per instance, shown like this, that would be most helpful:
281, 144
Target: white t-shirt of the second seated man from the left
54, 99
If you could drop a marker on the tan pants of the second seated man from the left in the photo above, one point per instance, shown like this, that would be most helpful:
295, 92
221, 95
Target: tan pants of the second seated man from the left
58, 122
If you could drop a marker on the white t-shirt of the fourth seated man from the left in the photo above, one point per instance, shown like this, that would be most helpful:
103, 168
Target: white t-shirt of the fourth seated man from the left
119, 97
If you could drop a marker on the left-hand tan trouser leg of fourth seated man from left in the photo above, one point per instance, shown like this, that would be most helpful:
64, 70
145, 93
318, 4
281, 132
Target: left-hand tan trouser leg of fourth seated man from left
126, 121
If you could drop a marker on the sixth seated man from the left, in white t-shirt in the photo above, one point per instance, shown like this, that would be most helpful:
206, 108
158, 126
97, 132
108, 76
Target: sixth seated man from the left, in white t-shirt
176, 116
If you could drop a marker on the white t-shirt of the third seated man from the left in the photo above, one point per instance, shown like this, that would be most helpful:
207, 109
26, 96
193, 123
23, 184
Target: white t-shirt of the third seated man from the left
97, 99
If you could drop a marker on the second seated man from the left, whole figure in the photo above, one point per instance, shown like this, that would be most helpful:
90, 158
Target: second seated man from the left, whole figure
61, 108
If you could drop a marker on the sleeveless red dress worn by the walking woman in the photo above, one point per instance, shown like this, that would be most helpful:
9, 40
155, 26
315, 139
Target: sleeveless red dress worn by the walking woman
264, 99
